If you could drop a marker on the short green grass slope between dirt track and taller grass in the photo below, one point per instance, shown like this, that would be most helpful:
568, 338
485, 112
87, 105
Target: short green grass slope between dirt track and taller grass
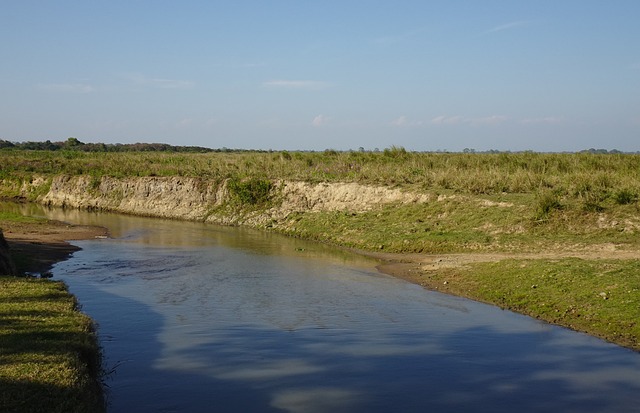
457, 223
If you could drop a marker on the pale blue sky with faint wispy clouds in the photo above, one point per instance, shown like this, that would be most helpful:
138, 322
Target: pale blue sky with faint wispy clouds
511, 75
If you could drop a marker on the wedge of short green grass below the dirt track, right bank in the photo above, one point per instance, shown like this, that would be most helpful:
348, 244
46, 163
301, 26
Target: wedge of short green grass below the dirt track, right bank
600, 297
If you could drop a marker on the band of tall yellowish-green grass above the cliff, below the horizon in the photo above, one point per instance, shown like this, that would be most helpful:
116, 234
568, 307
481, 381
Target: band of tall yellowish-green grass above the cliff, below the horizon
592, 178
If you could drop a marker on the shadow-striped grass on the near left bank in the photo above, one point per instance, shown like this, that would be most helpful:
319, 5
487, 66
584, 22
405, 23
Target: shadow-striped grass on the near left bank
49, 358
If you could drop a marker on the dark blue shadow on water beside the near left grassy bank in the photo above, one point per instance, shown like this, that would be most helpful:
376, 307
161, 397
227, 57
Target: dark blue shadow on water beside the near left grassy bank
129, 340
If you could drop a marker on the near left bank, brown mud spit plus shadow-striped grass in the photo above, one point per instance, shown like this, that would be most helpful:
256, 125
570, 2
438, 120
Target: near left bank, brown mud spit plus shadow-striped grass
59, 368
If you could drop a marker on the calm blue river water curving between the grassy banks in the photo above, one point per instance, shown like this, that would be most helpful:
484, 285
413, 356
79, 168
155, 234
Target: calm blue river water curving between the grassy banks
200, 318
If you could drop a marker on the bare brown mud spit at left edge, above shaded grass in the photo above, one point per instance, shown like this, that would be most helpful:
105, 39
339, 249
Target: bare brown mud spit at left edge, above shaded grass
36, 247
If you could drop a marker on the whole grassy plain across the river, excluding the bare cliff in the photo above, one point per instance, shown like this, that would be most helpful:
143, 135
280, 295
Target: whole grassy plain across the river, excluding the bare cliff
583, 206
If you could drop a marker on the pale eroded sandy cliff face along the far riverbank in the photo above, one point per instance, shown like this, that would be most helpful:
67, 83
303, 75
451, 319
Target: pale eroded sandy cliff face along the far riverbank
197, 199
